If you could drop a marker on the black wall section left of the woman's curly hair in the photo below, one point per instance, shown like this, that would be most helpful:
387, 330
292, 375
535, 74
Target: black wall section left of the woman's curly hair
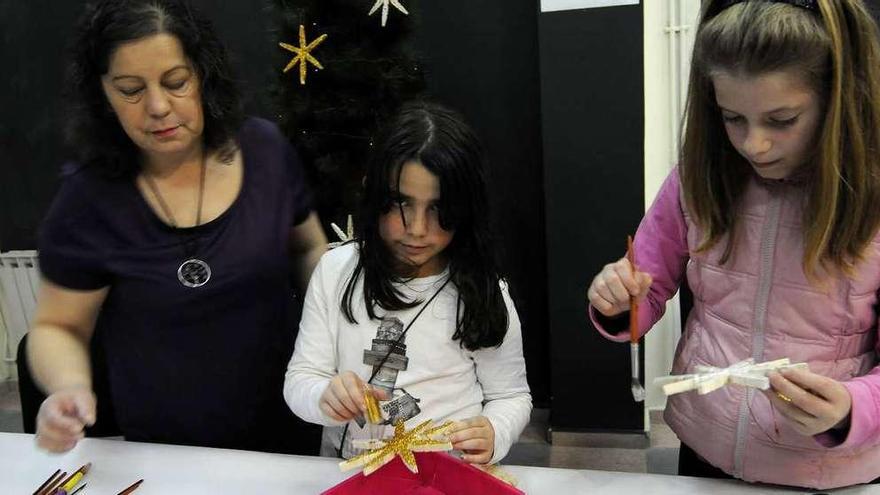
33, 36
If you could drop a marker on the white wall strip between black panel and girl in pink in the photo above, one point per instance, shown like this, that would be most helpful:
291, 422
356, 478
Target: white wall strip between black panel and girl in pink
668, 39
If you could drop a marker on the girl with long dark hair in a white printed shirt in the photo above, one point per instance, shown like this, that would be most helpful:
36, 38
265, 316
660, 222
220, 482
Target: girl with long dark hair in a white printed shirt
415, 306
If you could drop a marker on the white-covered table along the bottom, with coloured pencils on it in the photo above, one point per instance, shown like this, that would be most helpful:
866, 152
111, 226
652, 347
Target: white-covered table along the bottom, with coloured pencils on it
172, 470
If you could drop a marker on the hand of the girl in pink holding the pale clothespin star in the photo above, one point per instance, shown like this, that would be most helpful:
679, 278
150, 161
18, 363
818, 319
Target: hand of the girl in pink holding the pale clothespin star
812, 403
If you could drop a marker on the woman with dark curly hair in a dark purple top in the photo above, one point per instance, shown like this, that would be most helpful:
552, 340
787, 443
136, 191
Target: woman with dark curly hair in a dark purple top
171, 242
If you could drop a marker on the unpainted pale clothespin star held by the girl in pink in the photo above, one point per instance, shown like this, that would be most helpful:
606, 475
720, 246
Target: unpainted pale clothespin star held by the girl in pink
709, 378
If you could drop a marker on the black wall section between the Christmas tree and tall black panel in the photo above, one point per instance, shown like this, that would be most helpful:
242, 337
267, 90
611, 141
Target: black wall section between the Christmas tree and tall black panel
482, 58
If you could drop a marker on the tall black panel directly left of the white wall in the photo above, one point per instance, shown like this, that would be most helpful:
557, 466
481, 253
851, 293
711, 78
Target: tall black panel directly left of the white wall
592, 99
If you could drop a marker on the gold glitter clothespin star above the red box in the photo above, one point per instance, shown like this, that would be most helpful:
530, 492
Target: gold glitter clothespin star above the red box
422, 438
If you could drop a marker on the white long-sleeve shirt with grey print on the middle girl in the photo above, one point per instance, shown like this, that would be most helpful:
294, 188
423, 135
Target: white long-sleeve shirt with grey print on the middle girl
449, 381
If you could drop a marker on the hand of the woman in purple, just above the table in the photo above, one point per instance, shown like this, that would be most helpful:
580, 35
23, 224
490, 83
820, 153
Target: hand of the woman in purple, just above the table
63, 417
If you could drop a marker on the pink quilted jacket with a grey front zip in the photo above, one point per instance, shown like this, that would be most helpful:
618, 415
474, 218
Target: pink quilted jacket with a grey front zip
760, 305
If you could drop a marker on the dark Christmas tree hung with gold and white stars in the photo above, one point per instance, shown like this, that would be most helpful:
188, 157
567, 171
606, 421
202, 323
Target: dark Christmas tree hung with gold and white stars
332, 114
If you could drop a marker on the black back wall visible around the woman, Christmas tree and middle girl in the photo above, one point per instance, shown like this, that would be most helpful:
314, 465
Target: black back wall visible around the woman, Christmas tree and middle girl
481, 58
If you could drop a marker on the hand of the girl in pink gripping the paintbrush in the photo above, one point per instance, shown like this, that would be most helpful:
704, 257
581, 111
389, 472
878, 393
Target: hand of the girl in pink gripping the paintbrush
611, 289
